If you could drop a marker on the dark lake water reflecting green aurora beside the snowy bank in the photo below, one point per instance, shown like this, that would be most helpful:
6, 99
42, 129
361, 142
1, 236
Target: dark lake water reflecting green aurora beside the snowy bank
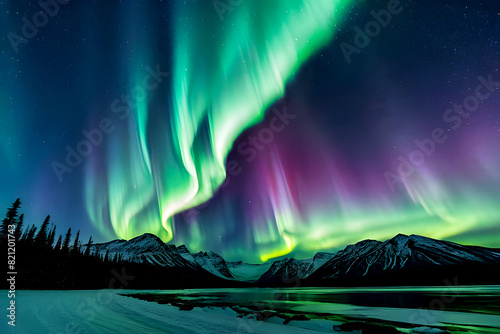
474, 309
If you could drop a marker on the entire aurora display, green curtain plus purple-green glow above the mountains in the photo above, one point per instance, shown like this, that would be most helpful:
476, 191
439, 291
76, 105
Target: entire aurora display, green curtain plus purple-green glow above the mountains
169, 154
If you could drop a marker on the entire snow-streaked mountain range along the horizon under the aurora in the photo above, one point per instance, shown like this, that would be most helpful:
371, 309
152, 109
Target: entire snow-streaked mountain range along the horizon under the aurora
363, 259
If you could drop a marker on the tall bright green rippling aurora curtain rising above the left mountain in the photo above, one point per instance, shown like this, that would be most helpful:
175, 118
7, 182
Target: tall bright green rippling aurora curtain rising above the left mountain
225, 74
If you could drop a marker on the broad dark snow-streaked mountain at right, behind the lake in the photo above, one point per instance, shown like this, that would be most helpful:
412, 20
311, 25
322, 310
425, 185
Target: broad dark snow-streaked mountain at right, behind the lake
370, 257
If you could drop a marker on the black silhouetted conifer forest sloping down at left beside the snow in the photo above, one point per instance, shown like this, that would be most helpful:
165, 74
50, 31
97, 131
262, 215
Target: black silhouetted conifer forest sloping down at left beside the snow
44, 267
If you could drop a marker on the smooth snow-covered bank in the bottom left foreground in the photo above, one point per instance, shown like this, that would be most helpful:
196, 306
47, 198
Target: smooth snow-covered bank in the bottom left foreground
104, 311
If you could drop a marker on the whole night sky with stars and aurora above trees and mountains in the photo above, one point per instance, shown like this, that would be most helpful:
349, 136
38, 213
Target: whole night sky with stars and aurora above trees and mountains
252, 128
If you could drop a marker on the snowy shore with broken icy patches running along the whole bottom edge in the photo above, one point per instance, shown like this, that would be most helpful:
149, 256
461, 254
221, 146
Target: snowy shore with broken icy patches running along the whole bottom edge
118, 311
